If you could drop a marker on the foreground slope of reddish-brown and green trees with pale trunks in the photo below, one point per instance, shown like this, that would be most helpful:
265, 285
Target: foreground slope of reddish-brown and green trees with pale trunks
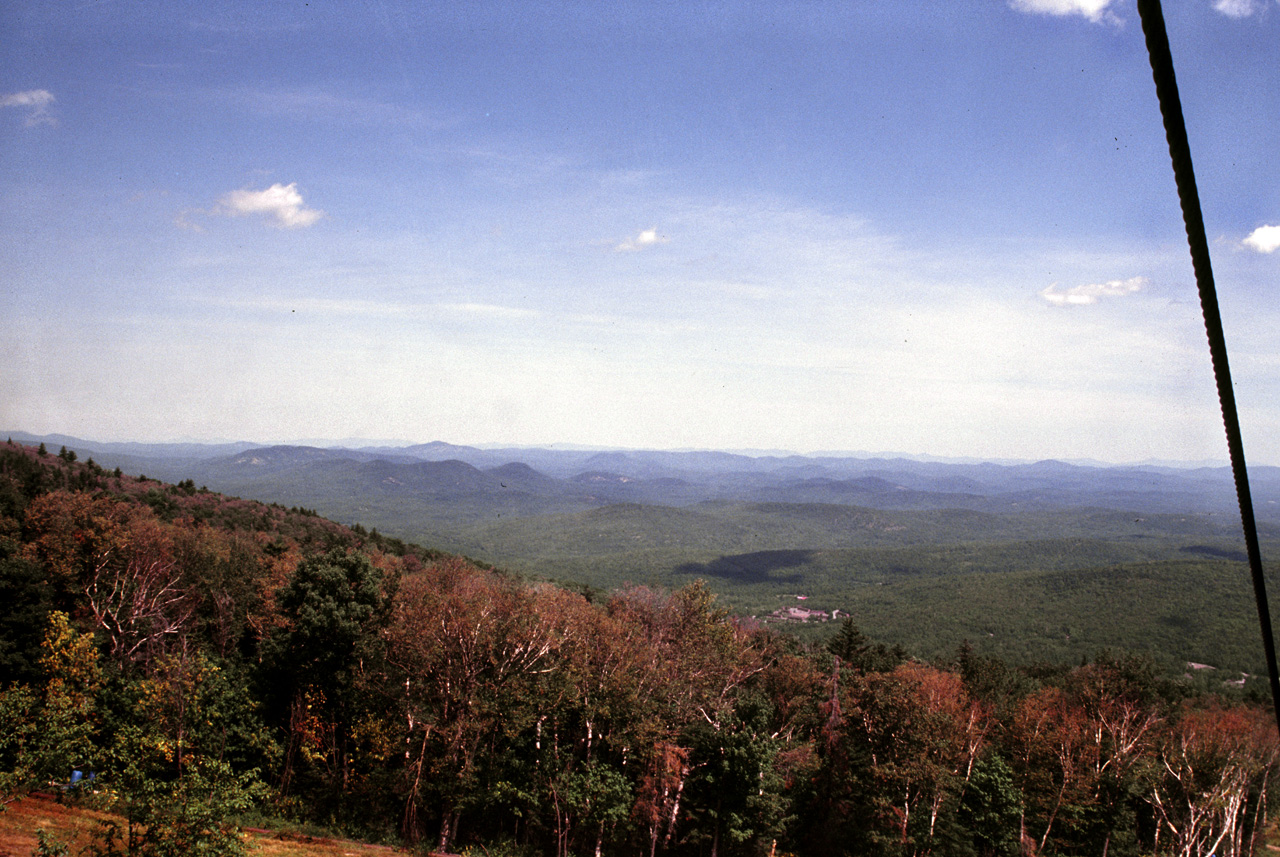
214, 661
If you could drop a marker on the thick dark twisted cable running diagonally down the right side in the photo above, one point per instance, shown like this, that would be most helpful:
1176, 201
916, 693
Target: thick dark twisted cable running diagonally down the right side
1181, 152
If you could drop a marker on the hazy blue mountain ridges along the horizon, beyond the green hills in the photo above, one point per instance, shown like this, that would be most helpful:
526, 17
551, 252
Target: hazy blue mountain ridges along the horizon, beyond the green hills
529, 482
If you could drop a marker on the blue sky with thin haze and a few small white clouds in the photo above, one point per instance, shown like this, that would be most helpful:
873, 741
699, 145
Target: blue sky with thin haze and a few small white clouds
944, 230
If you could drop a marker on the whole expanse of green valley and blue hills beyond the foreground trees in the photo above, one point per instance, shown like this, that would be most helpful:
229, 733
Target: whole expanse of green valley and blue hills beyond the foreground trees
1034, 561
